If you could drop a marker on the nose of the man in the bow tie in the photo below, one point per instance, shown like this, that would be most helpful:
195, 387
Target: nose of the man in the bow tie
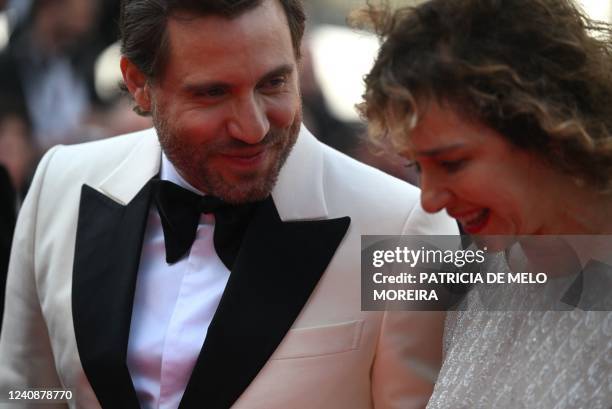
249, 122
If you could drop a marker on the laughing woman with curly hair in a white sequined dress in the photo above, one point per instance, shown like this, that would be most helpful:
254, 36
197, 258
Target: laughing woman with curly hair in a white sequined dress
506, 108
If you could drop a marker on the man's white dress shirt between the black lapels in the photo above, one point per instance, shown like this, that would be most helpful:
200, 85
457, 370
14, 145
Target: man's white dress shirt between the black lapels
173, 307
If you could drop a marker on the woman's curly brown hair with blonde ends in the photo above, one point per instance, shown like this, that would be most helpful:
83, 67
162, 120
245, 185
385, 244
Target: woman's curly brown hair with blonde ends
537, 71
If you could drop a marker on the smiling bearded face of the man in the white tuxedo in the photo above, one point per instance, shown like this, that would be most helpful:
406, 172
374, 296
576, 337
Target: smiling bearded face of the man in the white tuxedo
227, 107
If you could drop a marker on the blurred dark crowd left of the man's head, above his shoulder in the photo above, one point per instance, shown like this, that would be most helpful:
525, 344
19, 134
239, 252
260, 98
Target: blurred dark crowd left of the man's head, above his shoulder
47, 80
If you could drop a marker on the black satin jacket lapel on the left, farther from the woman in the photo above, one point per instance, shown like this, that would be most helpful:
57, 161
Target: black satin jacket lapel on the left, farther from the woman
108, 246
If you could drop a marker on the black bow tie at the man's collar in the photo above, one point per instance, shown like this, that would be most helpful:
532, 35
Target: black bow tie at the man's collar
180, 211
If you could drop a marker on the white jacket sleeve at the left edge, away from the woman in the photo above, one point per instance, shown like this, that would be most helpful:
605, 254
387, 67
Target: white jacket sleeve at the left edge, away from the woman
26, 358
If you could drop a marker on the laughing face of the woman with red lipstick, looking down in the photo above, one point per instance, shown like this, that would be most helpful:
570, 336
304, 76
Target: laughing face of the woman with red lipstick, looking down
480, 179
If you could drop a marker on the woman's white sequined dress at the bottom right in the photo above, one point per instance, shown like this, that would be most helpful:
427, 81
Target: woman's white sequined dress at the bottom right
524, 359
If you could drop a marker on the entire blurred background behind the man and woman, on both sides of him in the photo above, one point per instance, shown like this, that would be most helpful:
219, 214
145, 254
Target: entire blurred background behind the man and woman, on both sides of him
59, 78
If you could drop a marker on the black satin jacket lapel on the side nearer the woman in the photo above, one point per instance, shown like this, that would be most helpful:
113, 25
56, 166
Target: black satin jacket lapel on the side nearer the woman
277, 268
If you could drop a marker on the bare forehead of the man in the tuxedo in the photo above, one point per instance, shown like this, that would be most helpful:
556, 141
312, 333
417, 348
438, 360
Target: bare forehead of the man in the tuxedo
240, 49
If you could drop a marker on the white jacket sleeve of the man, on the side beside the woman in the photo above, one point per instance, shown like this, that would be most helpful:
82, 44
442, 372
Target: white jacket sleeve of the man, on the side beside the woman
409, 350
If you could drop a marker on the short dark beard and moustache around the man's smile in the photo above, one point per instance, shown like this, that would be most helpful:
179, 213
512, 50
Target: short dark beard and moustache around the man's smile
193, 162
